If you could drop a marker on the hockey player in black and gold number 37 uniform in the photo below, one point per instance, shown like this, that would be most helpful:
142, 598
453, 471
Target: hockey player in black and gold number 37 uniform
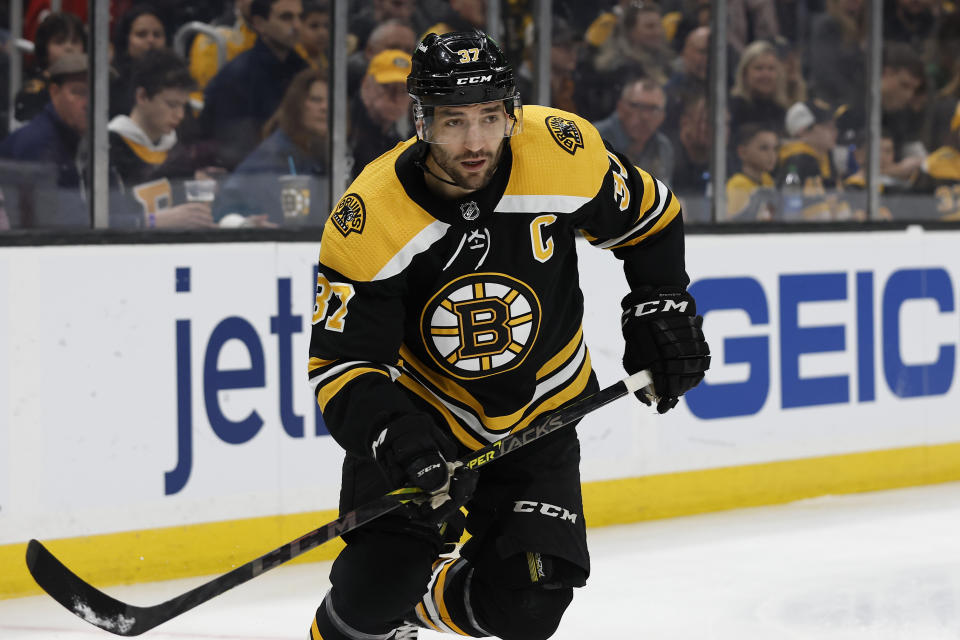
447, 315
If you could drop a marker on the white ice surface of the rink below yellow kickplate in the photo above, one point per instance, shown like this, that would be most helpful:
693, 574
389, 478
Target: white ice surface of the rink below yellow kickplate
877, 566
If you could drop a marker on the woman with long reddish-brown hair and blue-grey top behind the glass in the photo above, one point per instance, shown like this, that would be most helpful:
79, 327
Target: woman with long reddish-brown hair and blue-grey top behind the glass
295, 144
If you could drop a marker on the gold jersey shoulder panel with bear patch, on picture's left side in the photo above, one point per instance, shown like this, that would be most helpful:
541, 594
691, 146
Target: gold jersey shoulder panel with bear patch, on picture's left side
374, 223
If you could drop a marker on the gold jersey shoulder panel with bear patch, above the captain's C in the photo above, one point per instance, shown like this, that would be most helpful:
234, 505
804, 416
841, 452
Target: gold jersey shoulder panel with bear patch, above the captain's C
557, 152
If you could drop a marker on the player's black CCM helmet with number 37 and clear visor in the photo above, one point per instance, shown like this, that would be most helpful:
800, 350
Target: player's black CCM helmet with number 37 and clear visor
460, 68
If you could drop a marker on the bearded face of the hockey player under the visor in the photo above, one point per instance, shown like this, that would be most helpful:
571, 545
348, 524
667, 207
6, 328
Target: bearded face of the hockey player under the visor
470, 141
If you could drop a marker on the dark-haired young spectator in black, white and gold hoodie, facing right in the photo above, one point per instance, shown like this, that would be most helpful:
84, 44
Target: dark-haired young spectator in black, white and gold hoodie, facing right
147, 165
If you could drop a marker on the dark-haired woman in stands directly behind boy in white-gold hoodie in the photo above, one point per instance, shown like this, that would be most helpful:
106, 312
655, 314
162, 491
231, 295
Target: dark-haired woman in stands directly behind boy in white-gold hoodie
138, 31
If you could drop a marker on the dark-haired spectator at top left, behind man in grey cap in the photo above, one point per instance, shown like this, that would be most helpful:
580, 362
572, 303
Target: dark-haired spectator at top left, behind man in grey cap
58, 35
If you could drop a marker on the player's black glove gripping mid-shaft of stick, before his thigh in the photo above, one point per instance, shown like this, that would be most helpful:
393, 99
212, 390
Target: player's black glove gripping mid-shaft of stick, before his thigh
412, 451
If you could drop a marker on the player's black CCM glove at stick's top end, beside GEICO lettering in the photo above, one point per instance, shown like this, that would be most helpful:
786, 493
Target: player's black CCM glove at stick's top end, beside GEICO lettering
662, 332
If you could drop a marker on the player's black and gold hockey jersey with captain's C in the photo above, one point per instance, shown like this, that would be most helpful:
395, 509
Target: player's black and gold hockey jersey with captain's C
470, 309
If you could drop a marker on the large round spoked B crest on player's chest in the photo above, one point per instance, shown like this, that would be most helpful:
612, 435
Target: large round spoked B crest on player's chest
481, 324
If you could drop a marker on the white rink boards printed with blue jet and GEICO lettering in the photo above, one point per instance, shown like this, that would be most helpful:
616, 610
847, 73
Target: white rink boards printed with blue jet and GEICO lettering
157, 385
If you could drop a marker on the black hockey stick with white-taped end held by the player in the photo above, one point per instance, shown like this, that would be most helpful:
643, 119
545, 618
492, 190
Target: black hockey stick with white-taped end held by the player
110, 614
